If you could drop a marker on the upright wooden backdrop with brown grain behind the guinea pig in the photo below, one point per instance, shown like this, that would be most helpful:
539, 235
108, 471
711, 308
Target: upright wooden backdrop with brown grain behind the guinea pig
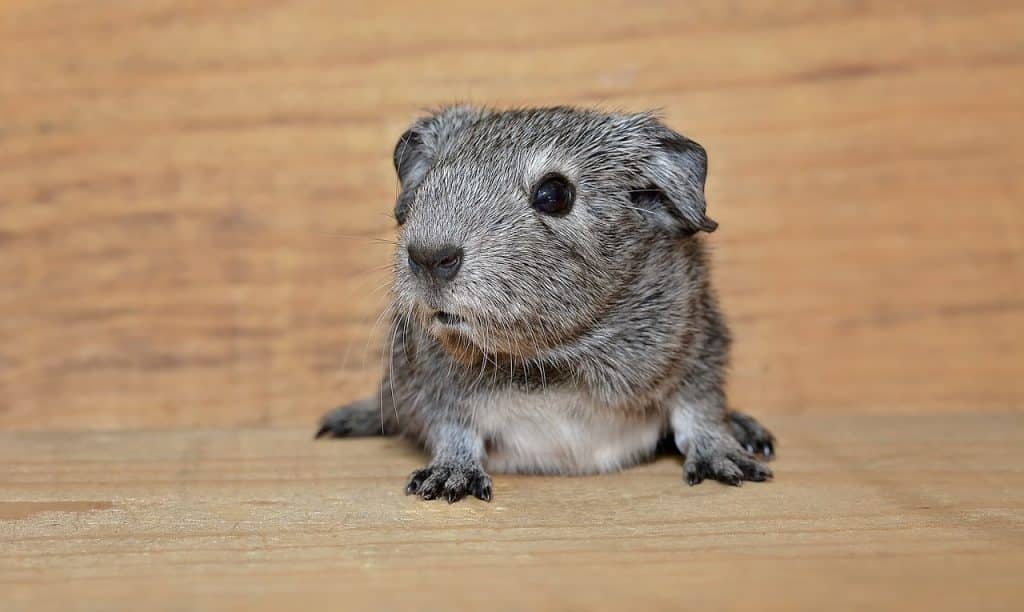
193, 194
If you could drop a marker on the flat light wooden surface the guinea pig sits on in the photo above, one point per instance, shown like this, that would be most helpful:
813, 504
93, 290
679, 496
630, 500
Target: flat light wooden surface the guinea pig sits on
867, 513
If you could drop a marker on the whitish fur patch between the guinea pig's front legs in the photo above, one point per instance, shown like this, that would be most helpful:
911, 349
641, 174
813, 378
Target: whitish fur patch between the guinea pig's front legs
557, 433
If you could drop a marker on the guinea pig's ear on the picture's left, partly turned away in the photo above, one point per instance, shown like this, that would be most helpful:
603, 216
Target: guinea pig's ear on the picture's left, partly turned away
420, 146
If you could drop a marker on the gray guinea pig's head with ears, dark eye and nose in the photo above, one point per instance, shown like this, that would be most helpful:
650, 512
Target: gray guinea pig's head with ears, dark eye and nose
521, 230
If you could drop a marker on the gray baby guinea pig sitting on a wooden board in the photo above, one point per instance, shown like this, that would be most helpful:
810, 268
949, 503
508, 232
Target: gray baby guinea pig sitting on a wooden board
552, 311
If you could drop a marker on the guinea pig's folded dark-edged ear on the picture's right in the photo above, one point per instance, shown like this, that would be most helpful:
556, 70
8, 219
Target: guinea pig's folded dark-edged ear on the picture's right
674, 197
